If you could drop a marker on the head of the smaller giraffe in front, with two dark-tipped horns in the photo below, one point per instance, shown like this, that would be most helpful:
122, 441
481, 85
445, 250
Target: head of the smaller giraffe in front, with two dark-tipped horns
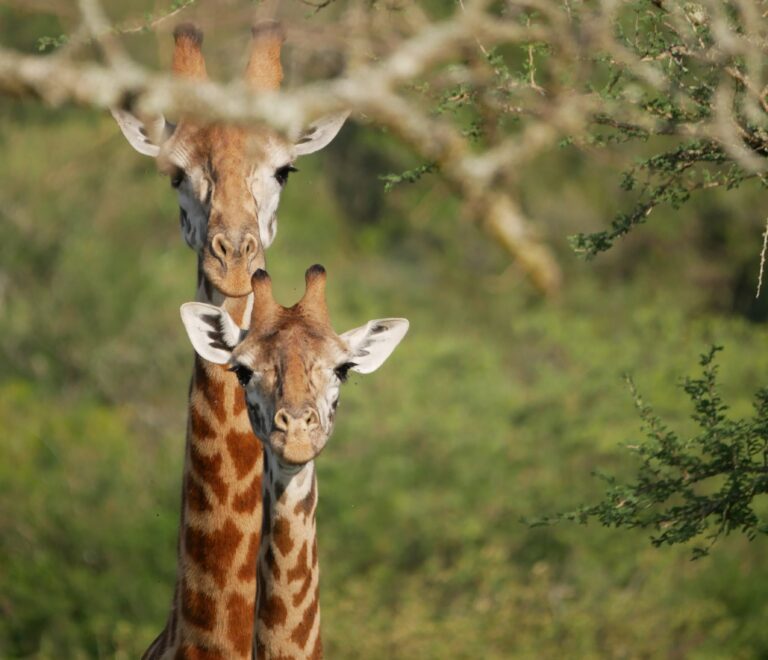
290, 361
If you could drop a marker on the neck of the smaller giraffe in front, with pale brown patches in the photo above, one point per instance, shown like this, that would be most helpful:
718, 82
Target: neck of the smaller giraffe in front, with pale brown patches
288, 612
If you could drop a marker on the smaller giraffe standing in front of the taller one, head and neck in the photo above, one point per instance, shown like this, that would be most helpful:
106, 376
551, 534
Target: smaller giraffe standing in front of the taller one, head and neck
291, 364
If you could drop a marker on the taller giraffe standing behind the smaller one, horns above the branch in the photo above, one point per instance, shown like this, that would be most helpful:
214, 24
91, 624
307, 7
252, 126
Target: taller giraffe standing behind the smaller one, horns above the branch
229, 181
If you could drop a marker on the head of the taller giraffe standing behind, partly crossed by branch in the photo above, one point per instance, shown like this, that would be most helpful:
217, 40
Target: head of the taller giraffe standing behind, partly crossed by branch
228, 178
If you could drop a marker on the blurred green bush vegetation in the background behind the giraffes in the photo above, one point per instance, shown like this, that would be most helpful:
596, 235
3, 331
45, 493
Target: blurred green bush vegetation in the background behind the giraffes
498, 405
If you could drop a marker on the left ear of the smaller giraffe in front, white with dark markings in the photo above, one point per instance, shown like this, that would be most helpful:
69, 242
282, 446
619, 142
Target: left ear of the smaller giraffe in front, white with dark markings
211, 330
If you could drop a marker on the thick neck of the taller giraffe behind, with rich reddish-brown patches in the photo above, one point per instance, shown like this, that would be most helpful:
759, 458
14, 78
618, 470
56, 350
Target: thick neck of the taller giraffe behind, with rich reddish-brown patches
214, 600
